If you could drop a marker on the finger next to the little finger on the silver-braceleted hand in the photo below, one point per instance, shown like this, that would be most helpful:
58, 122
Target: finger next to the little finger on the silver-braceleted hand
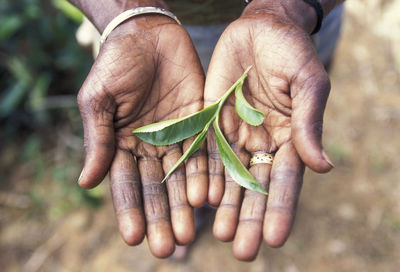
182, 218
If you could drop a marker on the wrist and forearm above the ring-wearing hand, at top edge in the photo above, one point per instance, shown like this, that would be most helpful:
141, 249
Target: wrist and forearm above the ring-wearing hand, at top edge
298, 11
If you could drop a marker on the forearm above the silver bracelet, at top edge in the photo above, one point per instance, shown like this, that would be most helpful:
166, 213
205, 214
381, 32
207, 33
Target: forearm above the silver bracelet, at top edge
101, 12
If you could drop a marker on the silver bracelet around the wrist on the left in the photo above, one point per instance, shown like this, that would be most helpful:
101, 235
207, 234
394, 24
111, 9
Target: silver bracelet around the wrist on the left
131, 13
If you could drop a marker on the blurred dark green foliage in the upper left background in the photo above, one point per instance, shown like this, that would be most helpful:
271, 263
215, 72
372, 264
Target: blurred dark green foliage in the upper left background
39, 58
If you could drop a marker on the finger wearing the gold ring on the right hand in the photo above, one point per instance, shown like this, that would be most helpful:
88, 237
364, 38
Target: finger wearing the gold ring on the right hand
249, 232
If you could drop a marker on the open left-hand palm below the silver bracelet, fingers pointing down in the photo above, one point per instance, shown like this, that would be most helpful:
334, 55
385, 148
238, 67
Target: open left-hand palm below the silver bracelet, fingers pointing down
147, 71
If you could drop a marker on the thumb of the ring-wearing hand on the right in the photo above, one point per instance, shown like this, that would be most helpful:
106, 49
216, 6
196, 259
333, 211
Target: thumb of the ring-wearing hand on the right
310, 92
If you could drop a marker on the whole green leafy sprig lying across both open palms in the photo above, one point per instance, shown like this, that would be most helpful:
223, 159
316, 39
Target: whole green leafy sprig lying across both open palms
175, 130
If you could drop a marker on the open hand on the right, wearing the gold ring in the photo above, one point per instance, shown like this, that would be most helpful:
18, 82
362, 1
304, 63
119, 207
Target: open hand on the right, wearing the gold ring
289, 85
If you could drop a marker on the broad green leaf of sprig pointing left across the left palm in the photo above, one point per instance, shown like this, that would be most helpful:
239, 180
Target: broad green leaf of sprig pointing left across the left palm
176, 130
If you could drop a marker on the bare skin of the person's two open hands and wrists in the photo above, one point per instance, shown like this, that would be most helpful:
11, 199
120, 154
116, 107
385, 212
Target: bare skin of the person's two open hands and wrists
142, 76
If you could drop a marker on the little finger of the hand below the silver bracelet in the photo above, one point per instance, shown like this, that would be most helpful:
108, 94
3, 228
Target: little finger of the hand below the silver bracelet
196, 176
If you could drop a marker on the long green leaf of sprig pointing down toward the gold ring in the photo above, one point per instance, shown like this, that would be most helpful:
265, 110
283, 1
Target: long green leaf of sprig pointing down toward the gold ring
233, 165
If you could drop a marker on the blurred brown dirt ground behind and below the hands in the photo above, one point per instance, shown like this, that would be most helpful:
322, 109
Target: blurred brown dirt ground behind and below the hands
348, 220
